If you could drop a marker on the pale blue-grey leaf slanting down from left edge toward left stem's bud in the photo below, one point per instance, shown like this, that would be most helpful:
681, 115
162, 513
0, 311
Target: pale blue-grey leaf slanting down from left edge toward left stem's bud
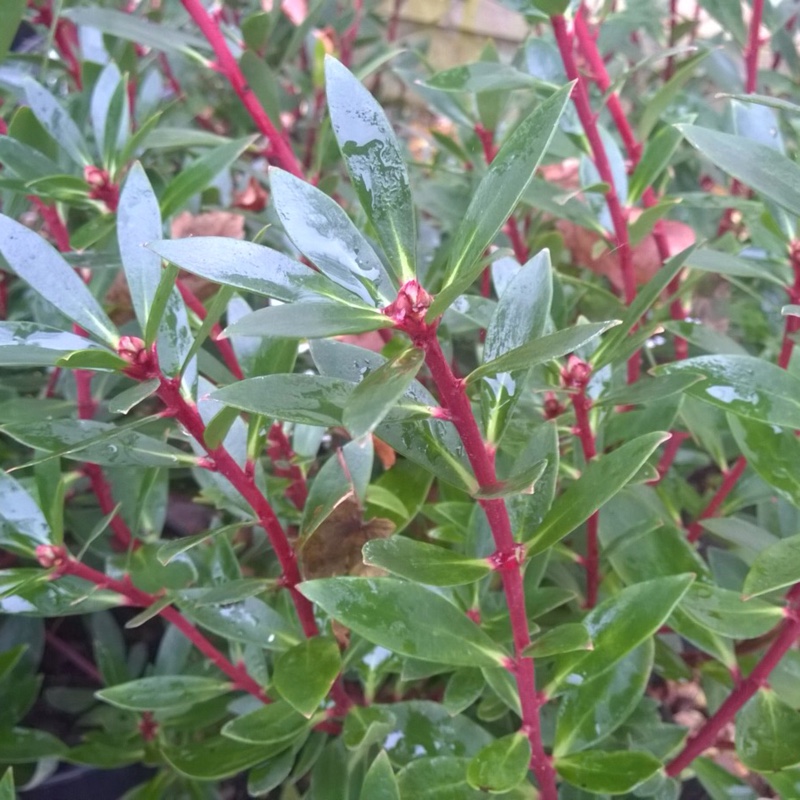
46, 271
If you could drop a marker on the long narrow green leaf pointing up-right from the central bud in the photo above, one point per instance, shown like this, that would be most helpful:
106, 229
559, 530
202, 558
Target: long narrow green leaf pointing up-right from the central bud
498, 194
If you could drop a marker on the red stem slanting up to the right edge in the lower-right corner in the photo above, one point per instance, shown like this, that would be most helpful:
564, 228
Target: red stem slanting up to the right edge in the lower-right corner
745, 689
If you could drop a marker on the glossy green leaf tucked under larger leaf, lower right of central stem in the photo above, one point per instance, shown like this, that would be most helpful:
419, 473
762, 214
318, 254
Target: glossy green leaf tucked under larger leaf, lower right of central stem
589, 713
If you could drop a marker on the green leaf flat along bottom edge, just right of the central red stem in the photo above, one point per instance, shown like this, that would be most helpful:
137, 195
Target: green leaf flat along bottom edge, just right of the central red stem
600, 772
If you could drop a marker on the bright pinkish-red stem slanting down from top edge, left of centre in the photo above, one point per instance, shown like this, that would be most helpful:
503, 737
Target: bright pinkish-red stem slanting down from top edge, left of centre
281, 152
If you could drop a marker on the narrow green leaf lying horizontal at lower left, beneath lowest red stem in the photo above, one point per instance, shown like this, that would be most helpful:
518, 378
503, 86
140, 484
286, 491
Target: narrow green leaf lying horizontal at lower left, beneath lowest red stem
163, 692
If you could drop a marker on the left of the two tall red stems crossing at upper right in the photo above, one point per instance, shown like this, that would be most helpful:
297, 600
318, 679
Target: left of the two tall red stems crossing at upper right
580, 97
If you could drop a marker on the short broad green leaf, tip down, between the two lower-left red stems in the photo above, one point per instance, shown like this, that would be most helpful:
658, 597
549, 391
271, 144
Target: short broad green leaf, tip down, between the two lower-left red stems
305, 673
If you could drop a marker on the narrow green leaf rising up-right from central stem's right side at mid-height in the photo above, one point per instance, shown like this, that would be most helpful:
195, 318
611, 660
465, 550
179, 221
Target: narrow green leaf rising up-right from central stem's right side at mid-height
600, 481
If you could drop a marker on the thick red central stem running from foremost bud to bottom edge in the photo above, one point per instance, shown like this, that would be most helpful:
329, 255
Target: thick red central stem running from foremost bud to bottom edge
454, 399
